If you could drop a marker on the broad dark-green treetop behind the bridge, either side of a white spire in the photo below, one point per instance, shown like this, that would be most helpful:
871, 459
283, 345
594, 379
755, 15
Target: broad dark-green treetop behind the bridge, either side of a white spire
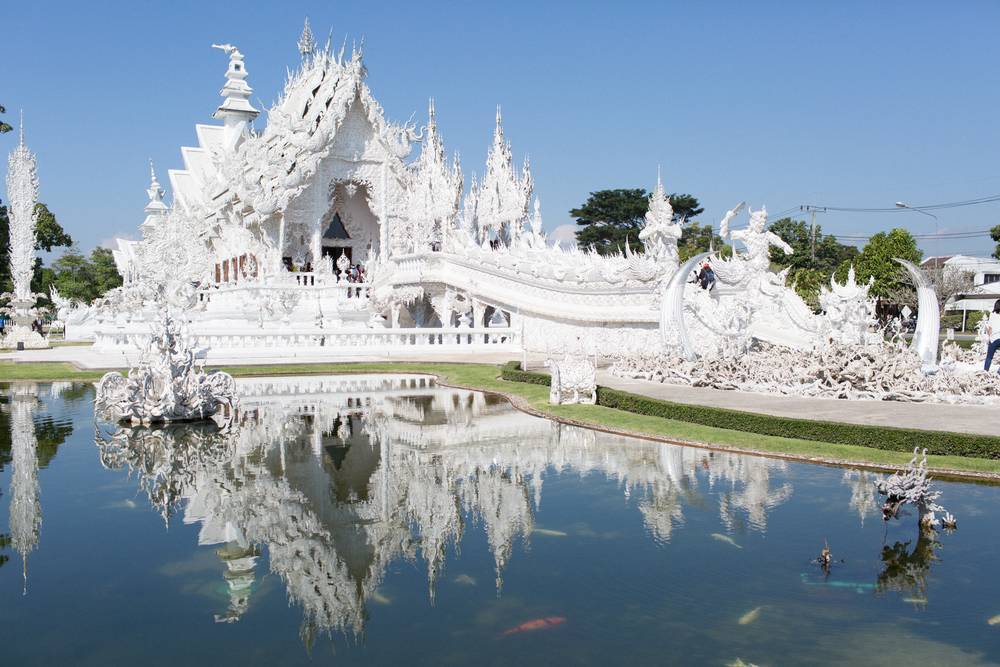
609, 217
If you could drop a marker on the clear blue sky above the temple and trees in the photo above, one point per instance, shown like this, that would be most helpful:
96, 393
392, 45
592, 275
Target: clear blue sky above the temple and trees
779, 103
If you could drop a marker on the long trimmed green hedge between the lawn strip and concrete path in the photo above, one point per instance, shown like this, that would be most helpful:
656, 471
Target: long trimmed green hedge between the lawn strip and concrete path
876, 437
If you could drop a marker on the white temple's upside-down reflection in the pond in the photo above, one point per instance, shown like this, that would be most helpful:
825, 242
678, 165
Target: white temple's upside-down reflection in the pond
337, 478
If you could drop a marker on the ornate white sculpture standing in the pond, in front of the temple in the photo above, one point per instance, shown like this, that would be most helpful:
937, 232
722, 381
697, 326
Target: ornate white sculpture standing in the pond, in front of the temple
168, 385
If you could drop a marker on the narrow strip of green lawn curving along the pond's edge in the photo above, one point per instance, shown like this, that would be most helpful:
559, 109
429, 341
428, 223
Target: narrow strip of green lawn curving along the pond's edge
535, 397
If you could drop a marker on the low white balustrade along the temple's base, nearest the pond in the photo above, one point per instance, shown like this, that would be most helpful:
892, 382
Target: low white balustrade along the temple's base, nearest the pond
278, 342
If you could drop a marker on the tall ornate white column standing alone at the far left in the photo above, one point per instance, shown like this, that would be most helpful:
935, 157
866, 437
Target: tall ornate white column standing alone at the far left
22, 195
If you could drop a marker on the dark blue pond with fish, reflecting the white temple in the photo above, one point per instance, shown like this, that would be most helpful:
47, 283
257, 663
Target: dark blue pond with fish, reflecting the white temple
371, 519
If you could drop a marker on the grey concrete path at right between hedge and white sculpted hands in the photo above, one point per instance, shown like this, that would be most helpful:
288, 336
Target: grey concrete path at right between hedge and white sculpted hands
978, 419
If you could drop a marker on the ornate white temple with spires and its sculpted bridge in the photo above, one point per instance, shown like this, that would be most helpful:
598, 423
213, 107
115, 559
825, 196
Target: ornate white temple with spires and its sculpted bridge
262, 244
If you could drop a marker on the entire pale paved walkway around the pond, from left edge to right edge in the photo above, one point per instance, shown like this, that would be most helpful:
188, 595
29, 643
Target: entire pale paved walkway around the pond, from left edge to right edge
984, 420
